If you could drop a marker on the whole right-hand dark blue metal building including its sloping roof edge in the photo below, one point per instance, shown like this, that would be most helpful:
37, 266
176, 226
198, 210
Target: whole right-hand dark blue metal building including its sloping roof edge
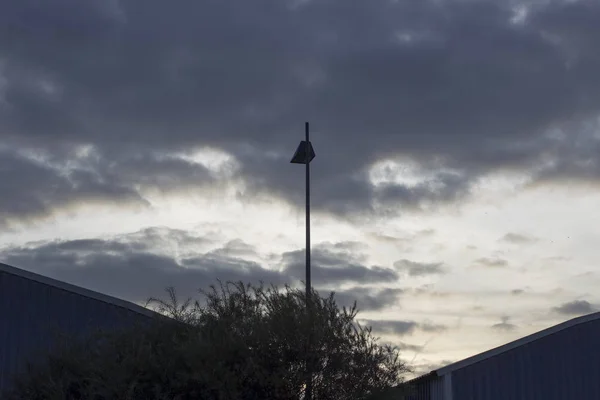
557, 363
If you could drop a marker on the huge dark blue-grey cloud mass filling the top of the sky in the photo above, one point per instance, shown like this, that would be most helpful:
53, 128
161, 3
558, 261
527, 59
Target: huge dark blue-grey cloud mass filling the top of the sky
456, 88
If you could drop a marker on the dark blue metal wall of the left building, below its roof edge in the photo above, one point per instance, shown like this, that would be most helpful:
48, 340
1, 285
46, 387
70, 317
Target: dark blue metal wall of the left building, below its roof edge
31, 312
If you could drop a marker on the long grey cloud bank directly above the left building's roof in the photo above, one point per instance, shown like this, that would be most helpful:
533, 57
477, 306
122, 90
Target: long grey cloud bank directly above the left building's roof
127, 268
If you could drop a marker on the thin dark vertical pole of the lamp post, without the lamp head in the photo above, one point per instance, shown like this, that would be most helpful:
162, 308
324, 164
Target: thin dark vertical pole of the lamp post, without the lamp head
309, 378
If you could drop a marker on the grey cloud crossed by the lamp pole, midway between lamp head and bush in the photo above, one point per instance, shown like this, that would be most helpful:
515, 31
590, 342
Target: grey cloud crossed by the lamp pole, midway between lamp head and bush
330, 265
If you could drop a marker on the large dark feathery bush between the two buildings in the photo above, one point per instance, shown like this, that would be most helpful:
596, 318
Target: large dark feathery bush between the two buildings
240, 342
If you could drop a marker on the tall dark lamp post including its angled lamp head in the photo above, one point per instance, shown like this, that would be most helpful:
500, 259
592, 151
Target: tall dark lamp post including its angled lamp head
304, 155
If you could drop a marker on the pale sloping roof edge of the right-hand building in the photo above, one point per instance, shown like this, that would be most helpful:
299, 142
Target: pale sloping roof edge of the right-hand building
517, 343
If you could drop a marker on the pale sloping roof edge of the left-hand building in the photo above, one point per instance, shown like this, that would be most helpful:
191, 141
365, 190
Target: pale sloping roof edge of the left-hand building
77, 290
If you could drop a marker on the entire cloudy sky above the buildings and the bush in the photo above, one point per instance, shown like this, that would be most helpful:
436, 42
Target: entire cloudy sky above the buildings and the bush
455, 189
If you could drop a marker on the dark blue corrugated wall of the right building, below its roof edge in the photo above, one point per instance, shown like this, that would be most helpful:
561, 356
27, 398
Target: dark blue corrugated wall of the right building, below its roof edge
561, 366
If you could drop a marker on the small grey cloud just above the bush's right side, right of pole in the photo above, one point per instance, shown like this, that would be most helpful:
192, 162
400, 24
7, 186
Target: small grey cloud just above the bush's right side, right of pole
367, 299
